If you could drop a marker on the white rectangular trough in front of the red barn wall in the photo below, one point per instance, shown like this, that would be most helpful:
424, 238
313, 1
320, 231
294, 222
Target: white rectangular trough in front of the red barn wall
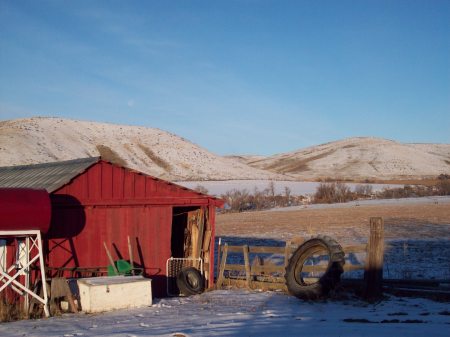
99, 294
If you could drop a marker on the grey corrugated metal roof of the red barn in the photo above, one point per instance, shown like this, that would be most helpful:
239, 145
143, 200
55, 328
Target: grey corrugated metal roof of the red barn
49, 176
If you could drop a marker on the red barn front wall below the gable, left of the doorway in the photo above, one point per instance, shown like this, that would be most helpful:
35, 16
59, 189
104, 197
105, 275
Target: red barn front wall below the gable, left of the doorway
149, 229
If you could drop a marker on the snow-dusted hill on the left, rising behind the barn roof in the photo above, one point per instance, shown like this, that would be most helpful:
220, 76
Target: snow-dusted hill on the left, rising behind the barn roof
149, 150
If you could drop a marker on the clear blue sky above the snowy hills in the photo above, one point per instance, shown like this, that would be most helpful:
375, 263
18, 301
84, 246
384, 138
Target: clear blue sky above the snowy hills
258, 77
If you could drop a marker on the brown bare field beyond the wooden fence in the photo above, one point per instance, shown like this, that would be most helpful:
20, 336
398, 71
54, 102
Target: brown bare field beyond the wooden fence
348, 224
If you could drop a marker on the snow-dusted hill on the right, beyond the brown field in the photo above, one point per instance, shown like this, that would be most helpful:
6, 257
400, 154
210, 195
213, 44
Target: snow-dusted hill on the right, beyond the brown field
361, 158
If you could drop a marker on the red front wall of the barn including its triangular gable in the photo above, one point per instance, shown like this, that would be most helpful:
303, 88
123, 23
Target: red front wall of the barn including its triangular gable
108, 203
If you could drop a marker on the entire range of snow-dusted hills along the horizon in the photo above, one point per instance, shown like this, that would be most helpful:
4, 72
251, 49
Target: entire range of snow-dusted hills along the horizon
167, 156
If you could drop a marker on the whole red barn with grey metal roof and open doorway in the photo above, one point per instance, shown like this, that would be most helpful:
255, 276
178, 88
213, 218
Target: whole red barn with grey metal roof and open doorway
96, 202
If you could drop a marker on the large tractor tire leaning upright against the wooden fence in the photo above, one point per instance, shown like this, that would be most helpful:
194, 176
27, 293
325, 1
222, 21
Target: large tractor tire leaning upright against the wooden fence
295, 281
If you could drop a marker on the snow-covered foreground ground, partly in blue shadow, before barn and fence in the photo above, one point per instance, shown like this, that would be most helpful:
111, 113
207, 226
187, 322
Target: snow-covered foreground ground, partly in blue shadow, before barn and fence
245, 313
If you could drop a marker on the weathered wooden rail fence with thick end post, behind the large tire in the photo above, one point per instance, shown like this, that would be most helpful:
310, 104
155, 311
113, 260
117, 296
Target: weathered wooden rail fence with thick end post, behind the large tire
263, 274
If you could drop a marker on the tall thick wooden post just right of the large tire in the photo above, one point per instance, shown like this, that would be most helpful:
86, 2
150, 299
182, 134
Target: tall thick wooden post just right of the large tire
373, 274
